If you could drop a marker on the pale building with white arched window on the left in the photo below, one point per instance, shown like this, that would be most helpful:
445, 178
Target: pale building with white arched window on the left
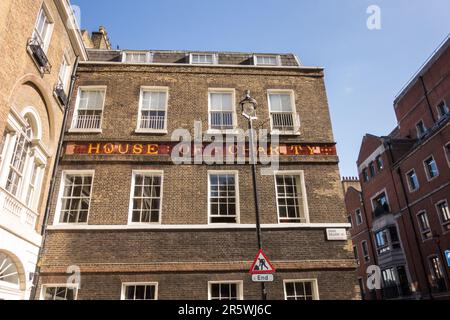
40, 43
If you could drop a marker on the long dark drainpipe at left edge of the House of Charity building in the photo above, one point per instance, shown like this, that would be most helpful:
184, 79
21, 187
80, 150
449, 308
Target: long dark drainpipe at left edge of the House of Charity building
53, 180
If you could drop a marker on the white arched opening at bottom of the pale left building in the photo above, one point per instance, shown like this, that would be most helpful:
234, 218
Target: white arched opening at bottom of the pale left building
11, 278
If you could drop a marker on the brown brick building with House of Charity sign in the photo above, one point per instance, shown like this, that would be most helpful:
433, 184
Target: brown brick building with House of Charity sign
140, 227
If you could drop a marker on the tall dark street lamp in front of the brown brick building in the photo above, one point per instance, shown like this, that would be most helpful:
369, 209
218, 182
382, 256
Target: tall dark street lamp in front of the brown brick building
249, 106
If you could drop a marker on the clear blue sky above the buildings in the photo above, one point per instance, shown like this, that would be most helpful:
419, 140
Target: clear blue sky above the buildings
364, 69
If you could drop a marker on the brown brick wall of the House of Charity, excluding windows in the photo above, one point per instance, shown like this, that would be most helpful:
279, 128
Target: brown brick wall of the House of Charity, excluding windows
188, 258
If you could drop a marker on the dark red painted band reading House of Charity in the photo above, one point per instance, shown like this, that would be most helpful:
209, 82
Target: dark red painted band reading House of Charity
165, 149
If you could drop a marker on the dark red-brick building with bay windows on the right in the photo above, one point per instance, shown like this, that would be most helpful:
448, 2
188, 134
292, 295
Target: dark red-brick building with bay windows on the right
400, 216
